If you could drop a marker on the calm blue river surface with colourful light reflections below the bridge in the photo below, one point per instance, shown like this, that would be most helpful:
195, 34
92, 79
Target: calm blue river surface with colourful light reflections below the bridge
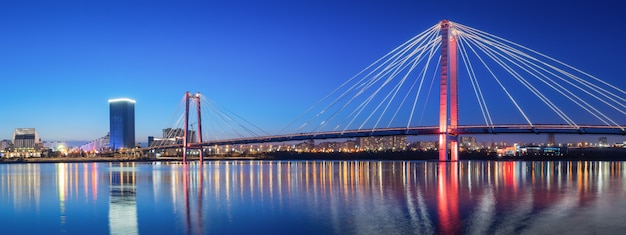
314, 197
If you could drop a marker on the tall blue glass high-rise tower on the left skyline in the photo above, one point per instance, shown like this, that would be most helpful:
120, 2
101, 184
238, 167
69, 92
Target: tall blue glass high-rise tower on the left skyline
122, 123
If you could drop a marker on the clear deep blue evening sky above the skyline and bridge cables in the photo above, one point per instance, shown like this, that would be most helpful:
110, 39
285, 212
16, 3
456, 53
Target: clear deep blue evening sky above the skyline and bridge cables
60, 61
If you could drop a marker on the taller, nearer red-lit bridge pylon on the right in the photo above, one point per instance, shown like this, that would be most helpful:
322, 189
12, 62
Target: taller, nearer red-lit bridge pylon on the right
448, 98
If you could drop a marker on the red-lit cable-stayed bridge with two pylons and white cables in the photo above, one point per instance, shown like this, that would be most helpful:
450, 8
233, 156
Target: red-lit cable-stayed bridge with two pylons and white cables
394, 96
